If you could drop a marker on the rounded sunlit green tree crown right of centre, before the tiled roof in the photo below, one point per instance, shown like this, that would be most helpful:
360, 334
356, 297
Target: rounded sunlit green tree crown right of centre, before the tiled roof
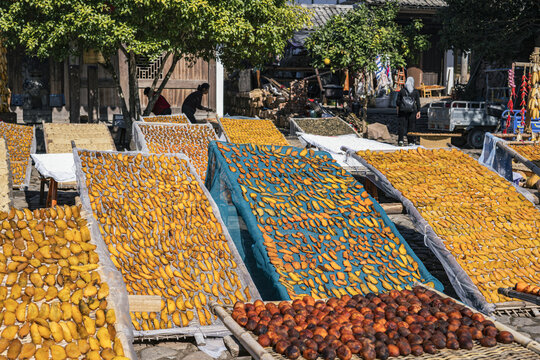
354, 40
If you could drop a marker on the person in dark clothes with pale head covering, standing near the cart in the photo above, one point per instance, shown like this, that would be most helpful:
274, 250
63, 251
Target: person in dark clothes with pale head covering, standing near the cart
408, 109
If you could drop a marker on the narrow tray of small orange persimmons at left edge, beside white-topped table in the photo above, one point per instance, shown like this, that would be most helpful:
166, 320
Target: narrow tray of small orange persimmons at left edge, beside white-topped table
19, 142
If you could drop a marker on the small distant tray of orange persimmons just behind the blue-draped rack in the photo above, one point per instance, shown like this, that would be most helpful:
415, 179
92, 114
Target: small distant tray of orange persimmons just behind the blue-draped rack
253, 131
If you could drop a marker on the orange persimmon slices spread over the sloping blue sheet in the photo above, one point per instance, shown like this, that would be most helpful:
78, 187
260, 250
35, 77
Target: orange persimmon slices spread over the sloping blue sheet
321, 230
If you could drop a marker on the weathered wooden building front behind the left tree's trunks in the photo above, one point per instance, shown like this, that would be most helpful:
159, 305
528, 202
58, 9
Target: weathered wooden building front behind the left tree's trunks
45, 90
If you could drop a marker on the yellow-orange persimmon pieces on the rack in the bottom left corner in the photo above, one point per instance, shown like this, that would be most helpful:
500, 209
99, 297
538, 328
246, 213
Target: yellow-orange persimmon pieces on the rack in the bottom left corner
54, 300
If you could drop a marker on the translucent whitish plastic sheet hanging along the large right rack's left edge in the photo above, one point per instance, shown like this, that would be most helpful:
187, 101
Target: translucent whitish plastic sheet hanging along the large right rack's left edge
462, 283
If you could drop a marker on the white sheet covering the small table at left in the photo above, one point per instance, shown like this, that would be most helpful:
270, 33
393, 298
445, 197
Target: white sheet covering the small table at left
60, 167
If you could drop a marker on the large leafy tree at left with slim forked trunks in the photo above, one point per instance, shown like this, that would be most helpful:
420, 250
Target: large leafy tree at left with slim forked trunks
238, 32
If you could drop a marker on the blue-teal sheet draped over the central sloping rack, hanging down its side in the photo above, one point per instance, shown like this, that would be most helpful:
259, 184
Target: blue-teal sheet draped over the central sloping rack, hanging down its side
240, 205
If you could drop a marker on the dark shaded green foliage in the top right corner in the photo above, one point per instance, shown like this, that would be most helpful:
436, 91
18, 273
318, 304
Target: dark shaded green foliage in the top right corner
495, 30
